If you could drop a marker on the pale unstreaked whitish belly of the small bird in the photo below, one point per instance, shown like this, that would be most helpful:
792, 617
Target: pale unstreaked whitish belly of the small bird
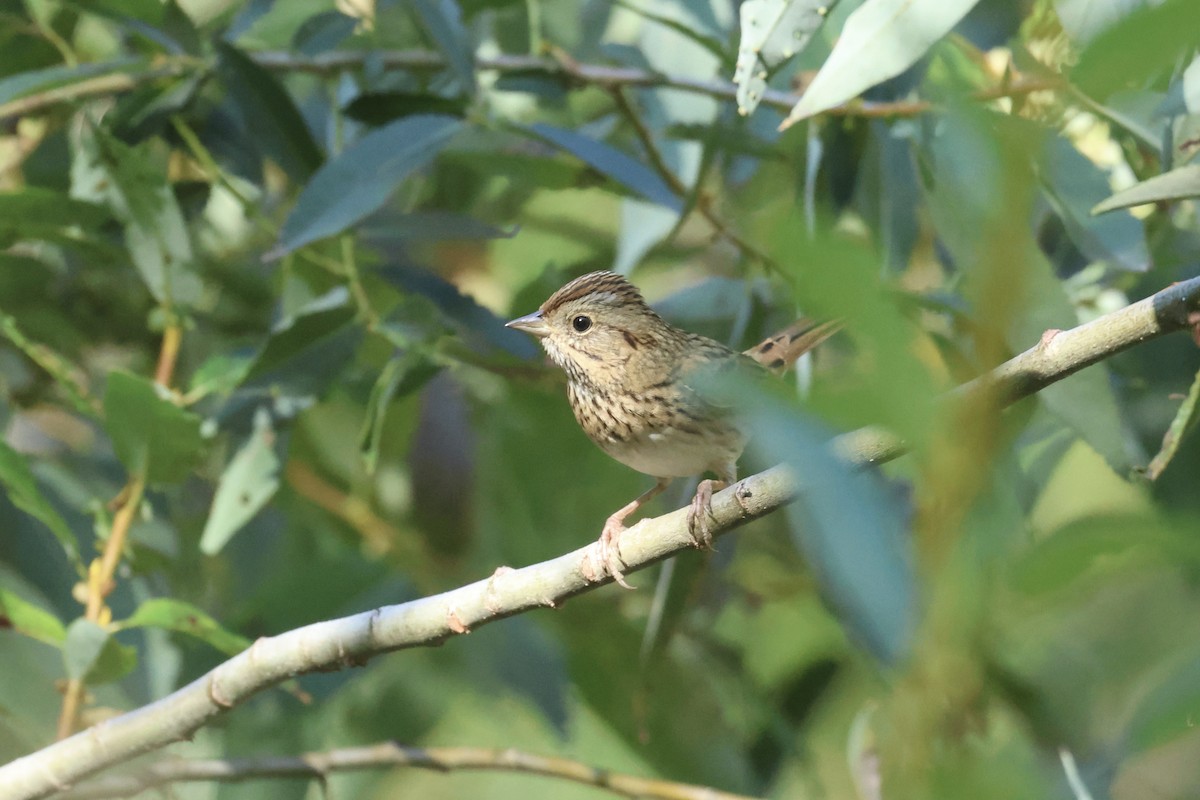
673, 453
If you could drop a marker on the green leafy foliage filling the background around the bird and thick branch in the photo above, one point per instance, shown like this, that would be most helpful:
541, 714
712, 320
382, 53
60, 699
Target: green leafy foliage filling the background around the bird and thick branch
255, 260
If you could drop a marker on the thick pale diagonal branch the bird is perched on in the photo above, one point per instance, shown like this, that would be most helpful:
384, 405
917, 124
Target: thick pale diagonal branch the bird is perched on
352, 641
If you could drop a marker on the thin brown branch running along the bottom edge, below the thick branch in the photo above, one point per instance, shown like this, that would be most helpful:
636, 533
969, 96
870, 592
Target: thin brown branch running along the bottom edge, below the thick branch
389, 754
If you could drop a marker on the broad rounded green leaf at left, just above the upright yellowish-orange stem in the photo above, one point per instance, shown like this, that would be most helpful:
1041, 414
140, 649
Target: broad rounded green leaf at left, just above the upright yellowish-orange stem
152, 436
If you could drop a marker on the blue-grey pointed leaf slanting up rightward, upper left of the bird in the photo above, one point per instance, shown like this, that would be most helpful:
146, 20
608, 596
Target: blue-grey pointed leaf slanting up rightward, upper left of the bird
361, 179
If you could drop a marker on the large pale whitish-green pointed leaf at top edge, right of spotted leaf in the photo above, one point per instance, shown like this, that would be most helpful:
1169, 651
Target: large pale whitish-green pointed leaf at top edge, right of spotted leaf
881, 40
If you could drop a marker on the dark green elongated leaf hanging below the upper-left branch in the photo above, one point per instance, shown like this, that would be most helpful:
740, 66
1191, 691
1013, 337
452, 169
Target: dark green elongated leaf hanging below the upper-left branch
268, 113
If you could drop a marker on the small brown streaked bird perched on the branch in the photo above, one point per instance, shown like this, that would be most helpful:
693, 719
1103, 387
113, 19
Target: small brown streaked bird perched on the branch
634, 384
